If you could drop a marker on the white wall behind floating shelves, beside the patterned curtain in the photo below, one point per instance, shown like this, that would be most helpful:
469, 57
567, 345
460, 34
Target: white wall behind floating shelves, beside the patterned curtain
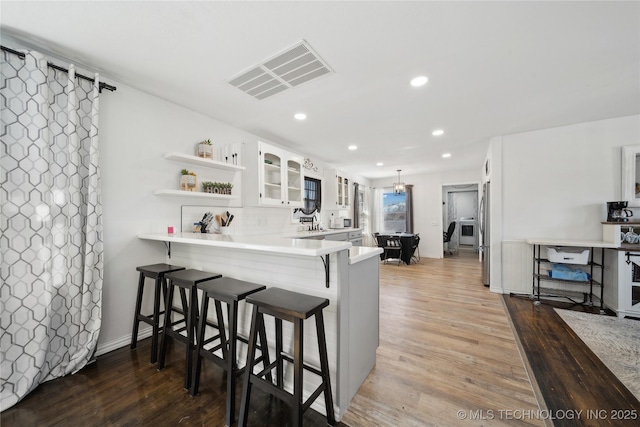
136, 131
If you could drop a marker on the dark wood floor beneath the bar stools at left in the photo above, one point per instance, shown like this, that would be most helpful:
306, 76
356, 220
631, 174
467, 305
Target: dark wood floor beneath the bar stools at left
123, 389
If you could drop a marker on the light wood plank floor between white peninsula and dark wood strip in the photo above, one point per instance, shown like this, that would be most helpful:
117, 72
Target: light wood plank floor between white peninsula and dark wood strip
445, 346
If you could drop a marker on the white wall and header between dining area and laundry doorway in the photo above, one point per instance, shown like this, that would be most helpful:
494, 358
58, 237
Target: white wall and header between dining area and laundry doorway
427, 204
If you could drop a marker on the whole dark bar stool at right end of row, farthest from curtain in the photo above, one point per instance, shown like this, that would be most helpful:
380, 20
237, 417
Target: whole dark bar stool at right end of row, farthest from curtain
293, 307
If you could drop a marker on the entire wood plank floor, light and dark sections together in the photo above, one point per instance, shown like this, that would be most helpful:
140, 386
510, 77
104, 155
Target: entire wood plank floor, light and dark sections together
446, 345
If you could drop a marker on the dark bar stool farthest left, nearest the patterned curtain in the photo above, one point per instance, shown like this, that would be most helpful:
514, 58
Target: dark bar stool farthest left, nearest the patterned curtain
156, 272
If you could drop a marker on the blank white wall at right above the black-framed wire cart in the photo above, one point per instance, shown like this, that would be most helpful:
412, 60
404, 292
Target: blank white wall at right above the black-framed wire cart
555, 183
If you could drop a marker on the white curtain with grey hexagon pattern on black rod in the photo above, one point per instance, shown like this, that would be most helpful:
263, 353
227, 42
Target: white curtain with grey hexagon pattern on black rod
50, 223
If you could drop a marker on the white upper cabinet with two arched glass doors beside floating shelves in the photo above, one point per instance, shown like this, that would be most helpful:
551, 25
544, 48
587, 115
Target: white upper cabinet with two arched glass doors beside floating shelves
280, 176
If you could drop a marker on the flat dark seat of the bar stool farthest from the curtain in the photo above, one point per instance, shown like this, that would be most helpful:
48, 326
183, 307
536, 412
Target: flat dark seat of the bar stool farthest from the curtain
288, 302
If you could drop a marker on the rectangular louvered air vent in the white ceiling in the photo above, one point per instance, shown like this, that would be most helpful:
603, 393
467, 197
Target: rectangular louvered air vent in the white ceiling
292, 67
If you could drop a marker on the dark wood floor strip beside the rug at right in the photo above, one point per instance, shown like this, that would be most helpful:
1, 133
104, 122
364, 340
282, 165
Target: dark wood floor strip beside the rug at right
566, 375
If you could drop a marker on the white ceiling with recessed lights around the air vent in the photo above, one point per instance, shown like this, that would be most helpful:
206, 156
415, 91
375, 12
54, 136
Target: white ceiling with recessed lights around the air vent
494, 68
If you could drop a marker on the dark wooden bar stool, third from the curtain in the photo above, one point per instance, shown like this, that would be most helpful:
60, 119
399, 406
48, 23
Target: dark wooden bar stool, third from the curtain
230, 291
